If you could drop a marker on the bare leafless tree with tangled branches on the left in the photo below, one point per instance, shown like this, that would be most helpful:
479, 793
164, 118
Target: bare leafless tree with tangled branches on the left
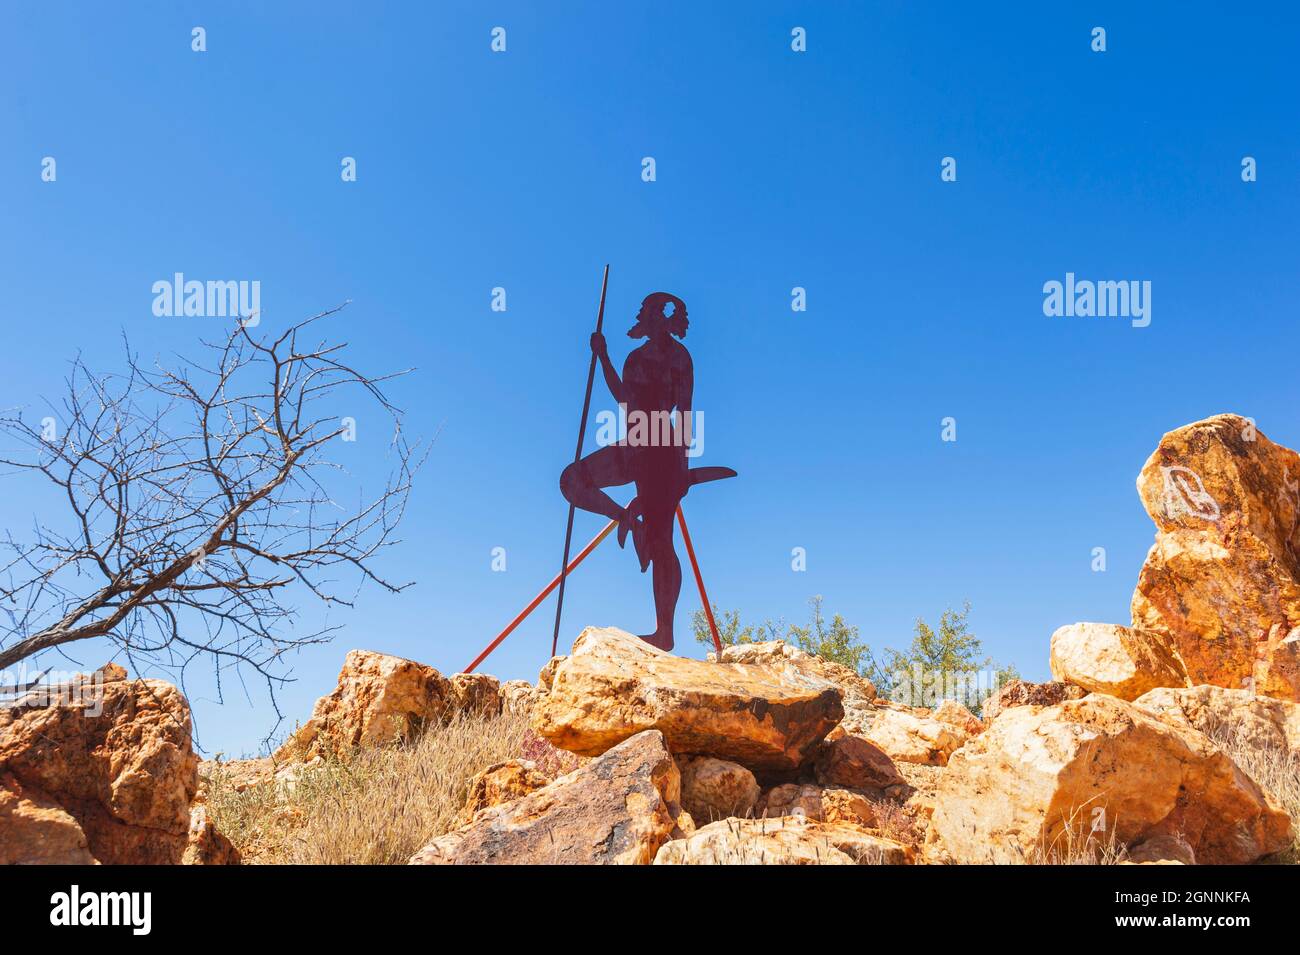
194, 503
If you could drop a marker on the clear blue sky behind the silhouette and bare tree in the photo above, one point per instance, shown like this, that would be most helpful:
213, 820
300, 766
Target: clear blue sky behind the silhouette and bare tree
774, 170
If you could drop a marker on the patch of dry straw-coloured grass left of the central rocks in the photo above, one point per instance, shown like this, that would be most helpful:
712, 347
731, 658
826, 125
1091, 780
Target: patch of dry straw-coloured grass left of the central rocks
378, 809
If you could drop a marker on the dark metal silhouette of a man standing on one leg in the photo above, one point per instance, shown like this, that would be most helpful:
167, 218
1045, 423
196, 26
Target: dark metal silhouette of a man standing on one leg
658, 380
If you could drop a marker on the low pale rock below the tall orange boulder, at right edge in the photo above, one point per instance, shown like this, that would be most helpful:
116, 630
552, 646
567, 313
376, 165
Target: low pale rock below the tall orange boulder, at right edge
1259, 723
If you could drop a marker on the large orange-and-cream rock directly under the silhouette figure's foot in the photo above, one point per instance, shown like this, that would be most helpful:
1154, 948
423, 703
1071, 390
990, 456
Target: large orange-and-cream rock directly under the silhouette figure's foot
616, 685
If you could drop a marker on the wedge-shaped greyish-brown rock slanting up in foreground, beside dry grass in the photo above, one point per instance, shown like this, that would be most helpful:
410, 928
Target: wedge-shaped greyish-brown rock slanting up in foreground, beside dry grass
617, 810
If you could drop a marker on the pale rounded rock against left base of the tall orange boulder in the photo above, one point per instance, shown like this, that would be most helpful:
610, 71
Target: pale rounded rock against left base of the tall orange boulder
1116, 661
